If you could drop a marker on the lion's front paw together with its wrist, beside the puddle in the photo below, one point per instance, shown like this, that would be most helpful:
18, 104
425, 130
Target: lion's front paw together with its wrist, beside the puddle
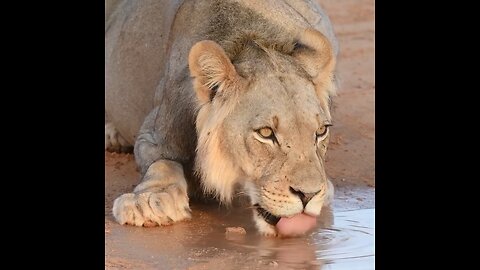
160, 199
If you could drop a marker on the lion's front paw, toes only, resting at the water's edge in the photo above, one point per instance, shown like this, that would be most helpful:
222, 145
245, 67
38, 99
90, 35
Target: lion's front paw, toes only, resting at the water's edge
152, 208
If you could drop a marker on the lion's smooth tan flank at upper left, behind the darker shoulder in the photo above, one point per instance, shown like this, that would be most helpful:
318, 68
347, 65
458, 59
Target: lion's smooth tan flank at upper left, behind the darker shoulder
136, 35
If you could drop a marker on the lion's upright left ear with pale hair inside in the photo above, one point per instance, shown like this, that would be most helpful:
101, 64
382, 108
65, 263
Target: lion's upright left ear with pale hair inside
211, 68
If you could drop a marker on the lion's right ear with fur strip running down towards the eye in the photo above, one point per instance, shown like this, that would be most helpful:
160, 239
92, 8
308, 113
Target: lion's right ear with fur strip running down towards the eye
315, 53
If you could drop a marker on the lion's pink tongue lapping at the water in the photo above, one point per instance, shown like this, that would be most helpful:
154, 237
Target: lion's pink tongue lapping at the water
296, 225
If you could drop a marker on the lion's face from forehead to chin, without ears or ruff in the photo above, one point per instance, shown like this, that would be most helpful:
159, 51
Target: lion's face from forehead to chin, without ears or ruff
278, 136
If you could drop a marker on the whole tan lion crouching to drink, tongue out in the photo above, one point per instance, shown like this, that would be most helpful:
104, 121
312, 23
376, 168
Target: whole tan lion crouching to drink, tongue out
217, 96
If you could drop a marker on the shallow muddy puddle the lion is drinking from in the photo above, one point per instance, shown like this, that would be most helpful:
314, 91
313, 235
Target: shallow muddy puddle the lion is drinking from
343, 240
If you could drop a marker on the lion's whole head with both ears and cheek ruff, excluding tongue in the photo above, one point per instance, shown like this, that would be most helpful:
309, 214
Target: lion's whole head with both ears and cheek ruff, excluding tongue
263, 122
